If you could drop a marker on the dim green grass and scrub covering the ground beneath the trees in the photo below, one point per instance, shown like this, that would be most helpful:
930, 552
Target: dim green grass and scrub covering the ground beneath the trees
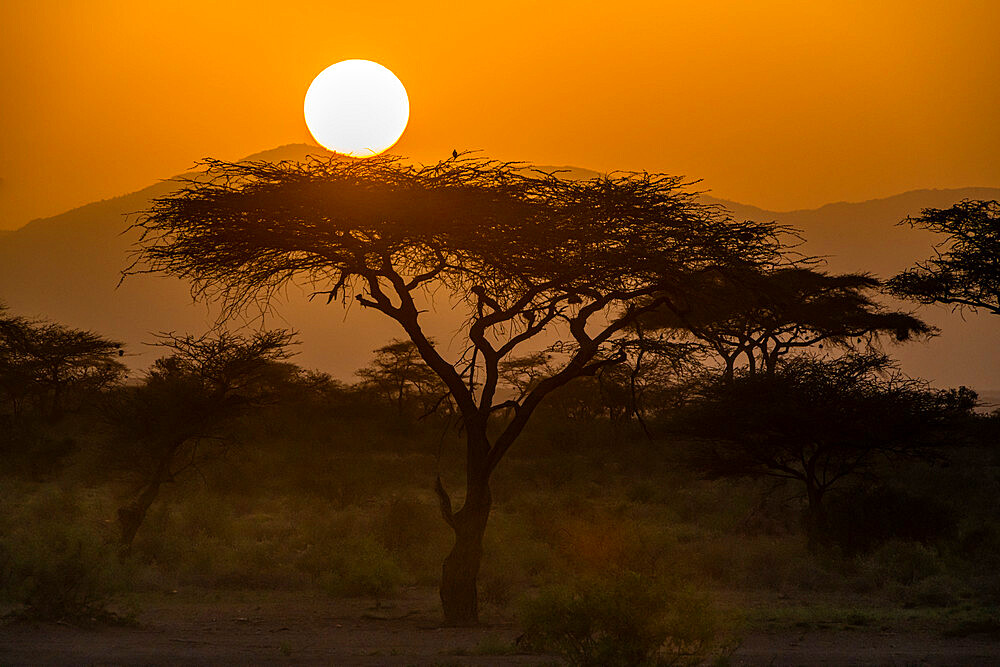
328, 489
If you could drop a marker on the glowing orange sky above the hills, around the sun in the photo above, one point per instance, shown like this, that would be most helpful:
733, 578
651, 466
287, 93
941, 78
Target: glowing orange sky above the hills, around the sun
781, 104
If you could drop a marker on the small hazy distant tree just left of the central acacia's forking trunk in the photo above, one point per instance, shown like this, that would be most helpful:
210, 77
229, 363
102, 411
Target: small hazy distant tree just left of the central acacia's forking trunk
400, 376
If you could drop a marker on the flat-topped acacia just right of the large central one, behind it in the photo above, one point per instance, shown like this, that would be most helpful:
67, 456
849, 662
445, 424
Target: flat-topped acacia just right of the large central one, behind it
768, 314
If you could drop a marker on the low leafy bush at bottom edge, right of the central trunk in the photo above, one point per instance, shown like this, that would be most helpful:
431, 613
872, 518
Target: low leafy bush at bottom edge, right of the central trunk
625, 620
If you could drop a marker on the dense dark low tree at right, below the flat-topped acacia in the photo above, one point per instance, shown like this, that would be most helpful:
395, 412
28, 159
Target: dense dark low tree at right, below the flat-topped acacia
818, 422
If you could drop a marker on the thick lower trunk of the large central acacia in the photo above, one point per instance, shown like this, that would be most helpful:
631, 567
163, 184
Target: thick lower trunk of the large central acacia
460, 571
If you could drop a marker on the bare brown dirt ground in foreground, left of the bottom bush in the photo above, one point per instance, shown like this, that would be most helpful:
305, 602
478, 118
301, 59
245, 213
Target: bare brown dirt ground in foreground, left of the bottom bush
267, 628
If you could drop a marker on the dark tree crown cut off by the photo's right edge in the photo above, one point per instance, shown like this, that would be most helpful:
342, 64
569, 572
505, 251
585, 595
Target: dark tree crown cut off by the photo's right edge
966, 269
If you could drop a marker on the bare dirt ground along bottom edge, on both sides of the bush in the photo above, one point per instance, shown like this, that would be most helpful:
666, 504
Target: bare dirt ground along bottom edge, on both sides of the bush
255, 628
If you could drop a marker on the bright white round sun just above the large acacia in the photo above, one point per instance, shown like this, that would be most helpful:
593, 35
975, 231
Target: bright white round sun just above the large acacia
357, 108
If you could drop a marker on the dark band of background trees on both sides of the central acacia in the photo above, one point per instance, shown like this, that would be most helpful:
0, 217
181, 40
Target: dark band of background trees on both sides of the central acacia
818, 420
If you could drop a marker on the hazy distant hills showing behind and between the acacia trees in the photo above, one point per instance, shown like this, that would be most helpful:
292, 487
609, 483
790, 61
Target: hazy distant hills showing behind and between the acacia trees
66, 268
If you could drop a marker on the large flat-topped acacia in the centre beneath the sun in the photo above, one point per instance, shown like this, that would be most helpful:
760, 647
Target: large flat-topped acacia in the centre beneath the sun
521, 251
